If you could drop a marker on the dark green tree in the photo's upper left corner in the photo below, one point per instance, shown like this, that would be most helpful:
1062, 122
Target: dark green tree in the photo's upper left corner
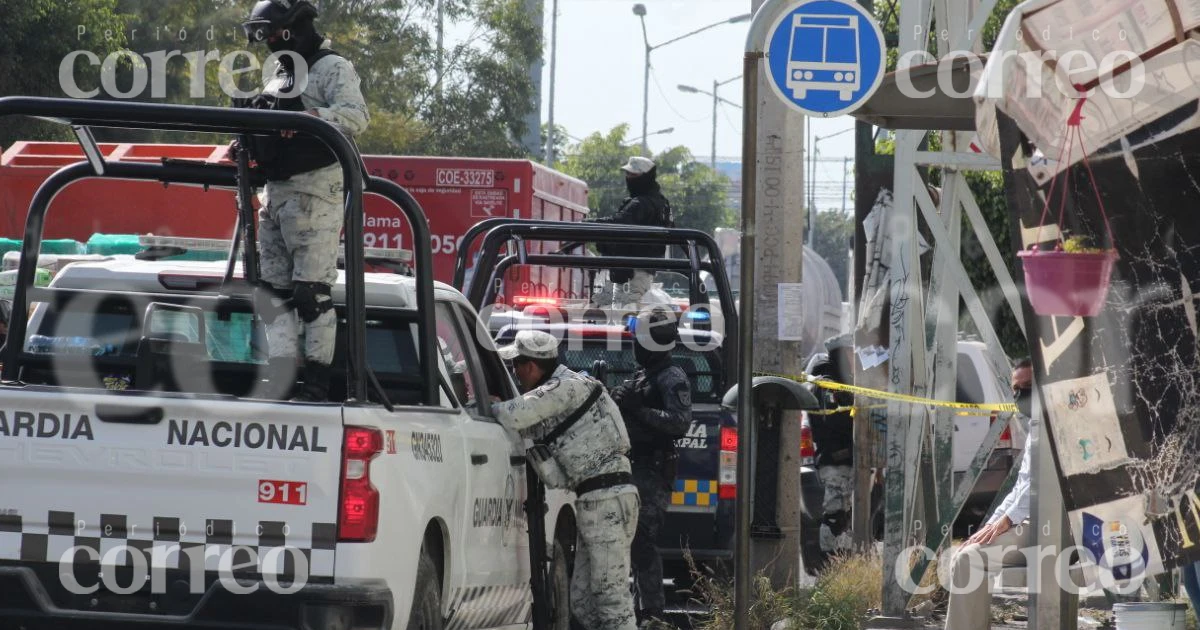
37, 38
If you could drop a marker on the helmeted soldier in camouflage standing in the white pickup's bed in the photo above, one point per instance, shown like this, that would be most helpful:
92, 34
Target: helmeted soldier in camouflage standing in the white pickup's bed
301, 220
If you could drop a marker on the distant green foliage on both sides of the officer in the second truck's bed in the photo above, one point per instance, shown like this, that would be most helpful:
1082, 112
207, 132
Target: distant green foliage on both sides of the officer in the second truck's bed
698, 194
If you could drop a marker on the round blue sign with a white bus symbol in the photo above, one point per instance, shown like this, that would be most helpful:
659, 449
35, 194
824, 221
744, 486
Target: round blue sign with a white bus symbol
826, 58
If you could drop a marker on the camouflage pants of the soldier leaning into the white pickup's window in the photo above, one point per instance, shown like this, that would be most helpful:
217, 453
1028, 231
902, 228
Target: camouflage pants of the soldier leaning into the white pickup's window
601, 597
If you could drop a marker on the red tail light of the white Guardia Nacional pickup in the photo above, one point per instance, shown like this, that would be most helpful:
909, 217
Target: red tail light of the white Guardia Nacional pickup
358, 518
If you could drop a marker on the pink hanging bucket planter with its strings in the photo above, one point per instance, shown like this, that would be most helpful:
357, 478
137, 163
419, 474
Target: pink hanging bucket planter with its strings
1070, 281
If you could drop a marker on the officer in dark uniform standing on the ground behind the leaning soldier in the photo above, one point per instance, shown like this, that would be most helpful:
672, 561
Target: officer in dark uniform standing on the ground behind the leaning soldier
657, 409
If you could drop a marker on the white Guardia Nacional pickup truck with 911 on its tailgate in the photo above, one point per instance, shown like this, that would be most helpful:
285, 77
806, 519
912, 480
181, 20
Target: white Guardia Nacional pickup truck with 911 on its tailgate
146, 484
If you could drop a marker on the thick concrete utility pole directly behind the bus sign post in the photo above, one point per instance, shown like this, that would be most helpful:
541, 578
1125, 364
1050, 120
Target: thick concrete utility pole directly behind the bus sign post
778, 268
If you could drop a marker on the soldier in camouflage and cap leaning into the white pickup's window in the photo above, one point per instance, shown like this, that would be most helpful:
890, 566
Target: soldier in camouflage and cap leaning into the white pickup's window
580, 445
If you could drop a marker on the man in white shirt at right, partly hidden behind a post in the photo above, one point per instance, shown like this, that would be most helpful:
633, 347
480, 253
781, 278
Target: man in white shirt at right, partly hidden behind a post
999, 542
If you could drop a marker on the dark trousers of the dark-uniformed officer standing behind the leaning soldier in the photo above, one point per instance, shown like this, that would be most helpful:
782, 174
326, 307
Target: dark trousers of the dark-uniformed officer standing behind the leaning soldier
656, 497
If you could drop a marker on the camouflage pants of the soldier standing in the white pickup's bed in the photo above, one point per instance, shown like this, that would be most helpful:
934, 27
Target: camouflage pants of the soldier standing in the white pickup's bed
299, 230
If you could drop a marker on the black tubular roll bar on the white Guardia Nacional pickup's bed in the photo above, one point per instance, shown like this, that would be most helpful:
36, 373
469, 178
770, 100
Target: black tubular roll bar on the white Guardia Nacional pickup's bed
83, 115
